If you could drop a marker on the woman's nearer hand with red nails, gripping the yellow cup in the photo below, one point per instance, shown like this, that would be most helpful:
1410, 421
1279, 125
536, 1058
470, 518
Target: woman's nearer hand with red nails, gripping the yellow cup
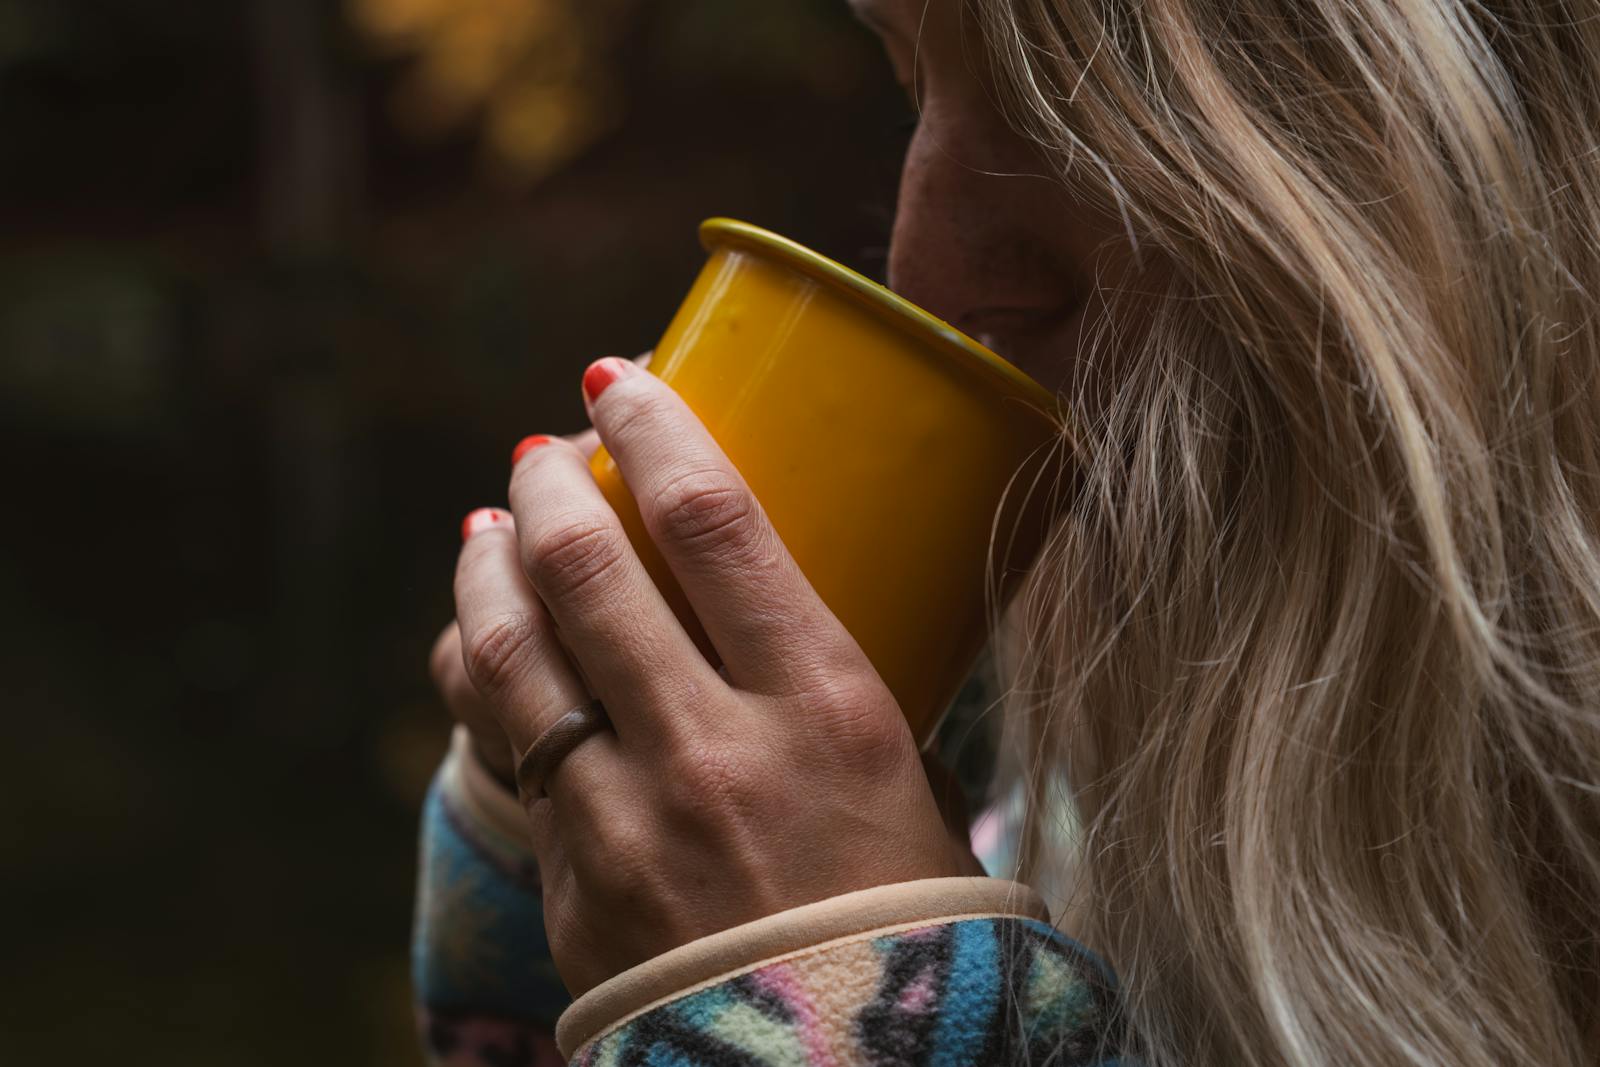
719, 797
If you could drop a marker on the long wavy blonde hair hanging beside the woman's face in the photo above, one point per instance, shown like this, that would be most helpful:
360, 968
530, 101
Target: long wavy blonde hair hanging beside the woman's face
1318, 641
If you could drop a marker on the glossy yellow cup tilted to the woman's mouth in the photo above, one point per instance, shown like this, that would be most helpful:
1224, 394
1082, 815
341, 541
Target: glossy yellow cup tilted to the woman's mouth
881, 442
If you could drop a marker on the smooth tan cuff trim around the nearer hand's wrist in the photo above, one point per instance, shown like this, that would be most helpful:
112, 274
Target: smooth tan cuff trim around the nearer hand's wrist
801, 930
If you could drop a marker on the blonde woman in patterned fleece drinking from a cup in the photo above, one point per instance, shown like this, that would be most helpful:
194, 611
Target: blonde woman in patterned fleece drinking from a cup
1316, 644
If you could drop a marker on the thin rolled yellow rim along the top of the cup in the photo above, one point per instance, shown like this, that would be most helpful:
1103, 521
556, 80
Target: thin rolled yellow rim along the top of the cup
724, 233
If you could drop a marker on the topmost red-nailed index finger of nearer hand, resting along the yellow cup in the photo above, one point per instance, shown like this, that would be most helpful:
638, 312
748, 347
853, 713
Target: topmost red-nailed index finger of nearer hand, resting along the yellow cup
759, 610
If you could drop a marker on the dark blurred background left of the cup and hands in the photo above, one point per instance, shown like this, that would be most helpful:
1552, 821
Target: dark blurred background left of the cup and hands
281, 286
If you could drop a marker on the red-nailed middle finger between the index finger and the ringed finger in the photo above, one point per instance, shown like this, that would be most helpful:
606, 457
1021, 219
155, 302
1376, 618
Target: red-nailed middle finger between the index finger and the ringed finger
607, 612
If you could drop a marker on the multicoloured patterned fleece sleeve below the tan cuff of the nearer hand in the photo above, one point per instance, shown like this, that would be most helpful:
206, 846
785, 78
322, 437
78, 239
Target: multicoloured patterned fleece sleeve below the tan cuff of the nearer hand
985, 991
